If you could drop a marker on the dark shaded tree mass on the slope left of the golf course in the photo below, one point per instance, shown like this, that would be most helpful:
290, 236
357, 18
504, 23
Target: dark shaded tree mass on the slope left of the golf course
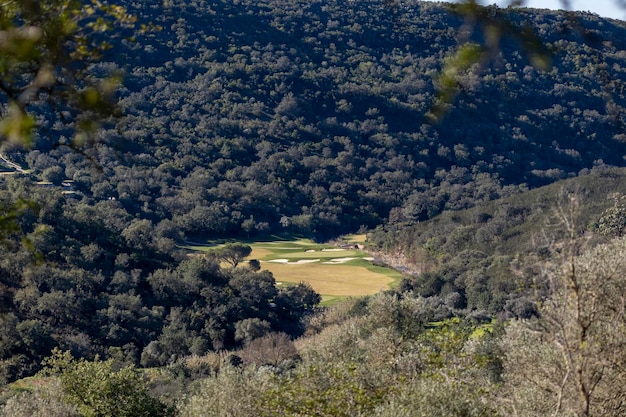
94, 280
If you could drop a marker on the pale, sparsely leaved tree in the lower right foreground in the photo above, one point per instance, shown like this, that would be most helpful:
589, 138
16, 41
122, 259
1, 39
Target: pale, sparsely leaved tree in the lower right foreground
572, 360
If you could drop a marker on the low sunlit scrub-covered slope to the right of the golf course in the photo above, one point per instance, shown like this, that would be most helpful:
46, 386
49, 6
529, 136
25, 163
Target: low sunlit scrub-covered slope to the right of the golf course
478, 257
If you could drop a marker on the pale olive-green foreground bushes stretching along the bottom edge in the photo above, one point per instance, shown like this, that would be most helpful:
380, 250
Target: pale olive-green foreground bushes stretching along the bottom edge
391, 355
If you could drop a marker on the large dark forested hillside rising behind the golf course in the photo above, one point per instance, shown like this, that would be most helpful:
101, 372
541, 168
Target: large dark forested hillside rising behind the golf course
313, 117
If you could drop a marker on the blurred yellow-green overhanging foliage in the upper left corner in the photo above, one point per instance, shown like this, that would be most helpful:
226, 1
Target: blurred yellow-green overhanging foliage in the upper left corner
47, 54
